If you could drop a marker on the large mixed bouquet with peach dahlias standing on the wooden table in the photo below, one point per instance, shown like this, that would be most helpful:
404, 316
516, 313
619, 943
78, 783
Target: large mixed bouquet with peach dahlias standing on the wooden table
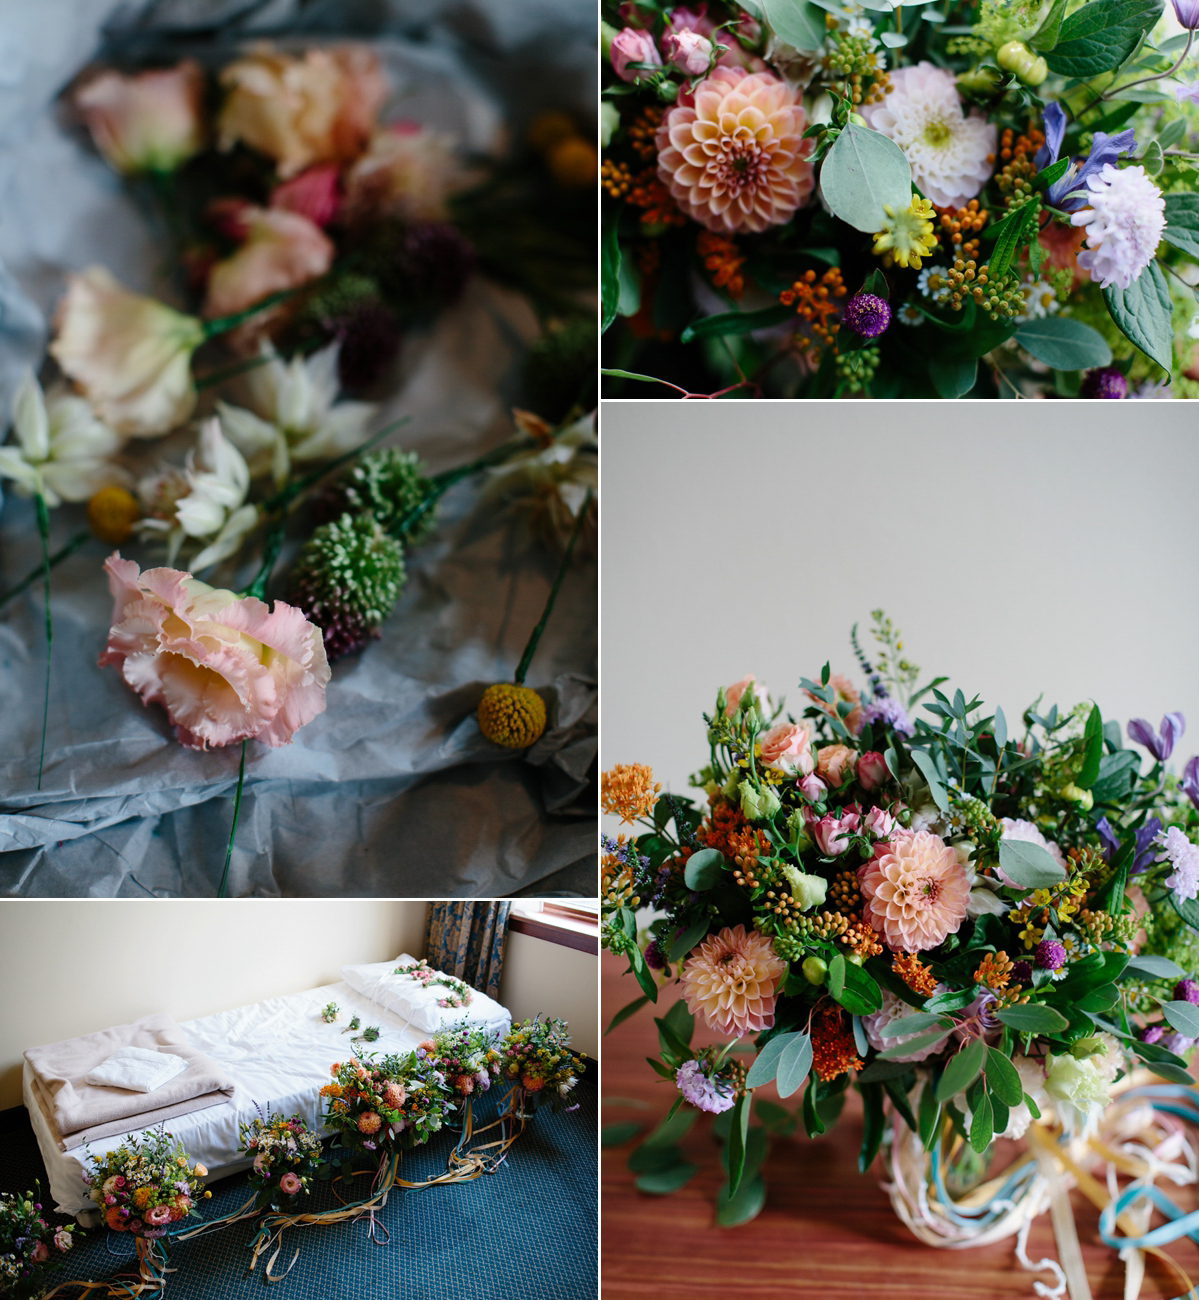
979, 924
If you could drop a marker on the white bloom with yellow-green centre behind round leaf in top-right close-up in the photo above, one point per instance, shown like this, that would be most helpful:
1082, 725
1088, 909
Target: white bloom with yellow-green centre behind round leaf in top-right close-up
951, 155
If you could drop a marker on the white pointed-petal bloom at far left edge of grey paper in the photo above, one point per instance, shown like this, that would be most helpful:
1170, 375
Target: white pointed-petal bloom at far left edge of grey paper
62, 449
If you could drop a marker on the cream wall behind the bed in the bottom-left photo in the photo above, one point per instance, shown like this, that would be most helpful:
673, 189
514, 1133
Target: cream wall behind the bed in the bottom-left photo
71, 968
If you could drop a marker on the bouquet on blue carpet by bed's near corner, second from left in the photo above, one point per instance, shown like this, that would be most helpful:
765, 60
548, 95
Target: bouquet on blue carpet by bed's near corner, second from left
146, 1185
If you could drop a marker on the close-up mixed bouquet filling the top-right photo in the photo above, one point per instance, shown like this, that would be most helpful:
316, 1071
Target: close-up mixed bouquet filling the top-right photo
834, 198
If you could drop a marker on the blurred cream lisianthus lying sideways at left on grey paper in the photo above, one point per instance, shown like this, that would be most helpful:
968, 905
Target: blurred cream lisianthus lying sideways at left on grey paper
129, 356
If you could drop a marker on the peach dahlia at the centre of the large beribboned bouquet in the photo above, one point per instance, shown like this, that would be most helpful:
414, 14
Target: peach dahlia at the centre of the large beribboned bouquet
915, 890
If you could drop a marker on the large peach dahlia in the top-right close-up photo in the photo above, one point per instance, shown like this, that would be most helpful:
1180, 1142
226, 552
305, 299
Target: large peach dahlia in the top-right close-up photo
735, 159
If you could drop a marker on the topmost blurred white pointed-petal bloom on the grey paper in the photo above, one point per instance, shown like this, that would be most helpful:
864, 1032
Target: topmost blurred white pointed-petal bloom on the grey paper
296, 415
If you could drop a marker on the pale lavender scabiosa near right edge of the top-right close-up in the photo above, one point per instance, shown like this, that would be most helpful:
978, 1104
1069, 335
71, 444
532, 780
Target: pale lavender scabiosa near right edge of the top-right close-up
1124, 226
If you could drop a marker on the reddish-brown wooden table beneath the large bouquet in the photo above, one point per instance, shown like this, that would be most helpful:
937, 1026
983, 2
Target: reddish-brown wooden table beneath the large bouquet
825, 1232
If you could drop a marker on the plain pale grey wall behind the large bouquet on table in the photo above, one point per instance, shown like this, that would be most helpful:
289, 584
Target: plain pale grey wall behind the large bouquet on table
1021, 548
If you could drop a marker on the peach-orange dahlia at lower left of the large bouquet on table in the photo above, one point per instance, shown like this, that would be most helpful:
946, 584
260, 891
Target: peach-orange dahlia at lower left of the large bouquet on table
731, 981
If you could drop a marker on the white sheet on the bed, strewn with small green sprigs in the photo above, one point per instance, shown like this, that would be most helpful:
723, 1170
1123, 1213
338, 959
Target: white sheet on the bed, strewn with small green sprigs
278, 1054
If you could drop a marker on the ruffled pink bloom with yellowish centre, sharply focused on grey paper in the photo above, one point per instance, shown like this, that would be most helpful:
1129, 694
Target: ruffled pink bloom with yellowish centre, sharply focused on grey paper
226, 669
